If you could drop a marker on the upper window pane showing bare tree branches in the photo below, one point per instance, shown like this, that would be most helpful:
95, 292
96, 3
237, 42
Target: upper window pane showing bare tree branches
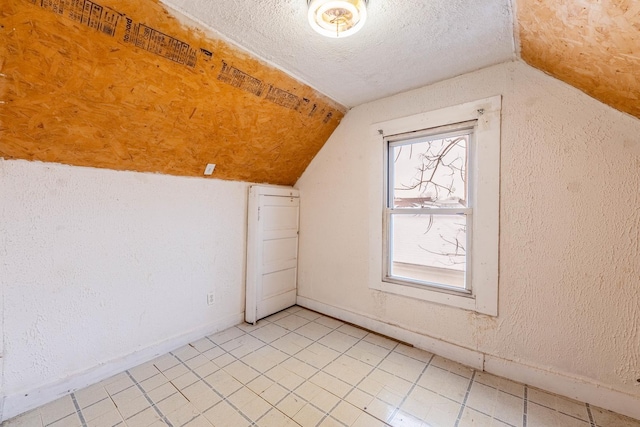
430, 171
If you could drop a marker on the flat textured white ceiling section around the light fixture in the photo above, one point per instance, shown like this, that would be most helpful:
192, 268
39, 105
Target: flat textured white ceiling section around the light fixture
404, 44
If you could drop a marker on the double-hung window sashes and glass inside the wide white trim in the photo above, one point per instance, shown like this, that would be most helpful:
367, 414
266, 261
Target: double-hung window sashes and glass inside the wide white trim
428, 212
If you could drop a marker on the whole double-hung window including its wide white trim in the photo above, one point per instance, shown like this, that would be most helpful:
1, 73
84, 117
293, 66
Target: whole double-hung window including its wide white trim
440, 208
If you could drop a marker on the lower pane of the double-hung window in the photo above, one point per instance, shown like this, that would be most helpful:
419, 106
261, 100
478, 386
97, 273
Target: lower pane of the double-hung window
429, 249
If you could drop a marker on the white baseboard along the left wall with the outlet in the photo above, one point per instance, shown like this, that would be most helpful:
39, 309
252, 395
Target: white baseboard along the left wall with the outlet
18, 403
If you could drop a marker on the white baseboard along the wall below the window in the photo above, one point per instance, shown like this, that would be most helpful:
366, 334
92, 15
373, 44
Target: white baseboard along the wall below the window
572, 386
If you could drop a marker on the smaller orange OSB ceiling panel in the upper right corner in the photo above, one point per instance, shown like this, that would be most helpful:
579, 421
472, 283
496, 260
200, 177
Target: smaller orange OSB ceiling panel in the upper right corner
593, 45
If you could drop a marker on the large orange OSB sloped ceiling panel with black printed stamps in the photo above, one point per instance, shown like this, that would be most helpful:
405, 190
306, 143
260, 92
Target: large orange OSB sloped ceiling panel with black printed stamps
123, 84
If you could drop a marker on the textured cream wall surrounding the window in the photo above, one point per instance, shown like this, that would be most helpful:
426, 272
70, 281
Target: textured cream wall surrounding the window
569, 228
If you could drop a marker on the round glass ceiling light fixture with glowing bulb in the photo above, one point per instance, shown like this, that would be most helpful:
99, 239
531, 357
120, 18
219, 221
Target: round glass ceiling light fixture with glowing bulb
337, 18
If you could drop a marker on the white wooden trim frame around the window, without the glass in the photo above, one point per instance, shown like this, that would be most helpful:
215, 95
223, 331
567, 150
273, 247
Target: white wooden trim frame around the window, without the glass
484, 173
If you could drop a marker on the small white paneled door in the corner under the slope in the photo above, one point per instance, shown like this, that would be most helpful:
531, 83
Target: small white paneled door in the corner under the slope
272, 250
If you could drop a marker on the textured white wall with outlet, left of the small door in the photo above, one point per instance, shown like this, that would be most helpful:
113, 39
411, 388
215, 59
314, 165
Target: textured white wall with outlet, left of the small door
98, 264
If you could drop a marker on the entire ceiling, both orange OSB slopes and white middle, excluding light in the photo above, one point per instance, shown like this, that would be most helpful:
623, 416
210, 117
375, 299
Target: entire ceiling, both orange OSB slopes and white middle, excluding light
249, 86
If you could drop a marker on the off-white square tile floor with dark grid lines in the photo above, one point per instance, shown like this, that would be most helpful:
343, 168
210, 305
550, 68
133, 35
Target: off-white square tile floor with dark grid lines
299, 368
